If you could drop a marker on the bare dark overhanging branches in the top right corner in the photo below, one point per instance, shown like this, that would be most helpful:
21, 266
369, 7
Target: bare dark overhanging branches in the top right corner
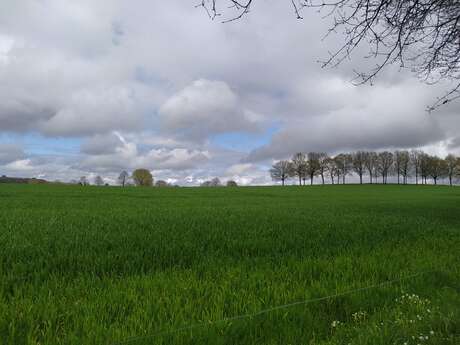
422, 35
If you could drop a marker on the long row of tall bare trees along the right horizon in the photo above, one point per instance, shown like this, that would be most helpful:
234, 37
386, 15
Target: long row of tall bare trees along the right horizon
376, 166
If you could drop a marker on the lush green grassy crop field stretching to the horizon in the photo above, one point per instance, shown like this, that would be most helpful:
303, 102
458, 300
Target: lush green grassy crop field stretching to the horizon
117, 266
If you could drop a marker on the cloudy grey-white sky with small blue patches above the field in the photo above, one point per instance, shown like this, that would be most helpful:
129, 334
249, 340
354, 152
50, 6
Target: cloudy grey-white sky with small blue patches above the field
92, 88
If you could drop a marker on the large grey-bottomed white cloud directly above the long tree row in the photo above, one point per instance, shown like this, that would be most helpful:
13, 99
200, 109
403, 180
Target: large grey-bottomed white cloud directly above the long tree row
367, 120
